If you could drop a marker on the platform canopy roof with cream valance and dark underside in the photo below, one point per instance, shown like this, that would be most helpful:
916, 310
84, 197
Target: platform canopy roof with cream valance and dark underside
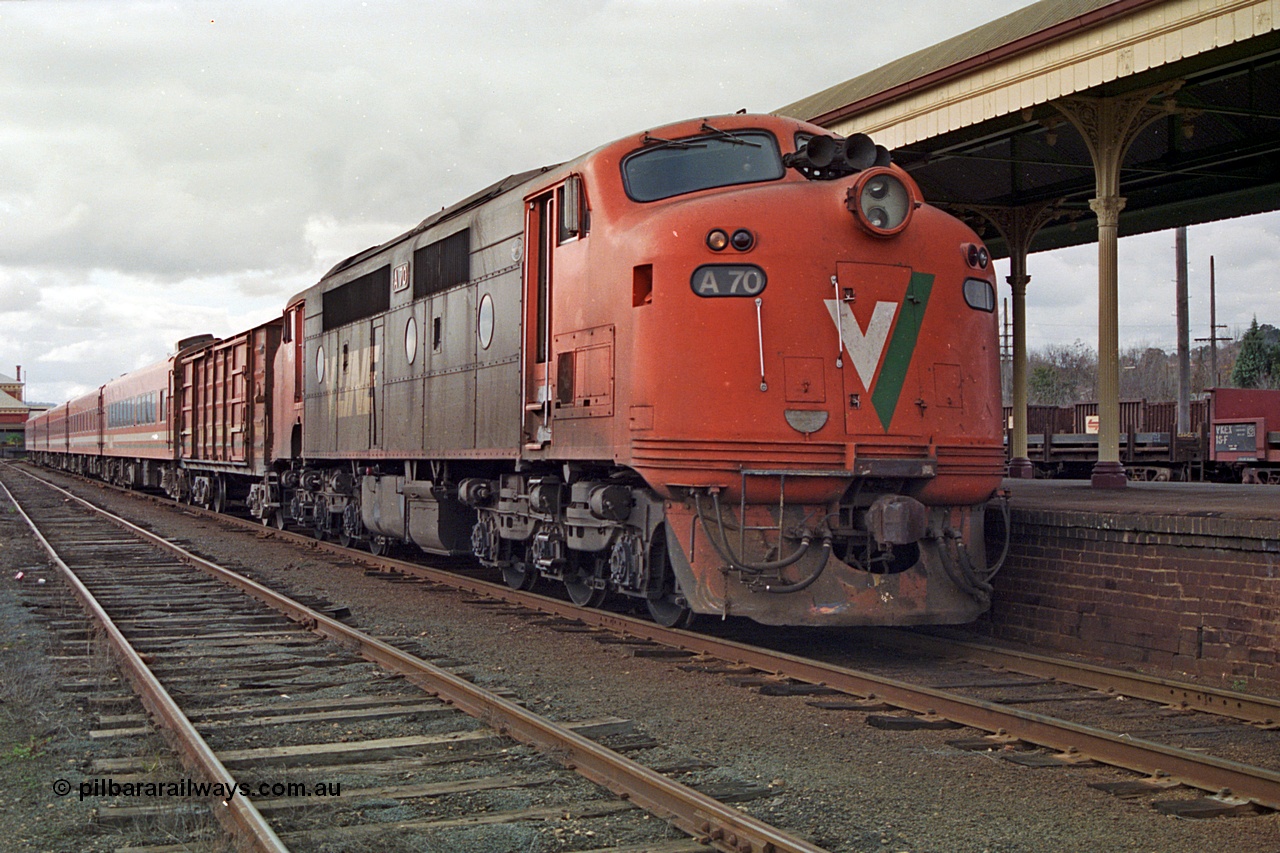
979, 121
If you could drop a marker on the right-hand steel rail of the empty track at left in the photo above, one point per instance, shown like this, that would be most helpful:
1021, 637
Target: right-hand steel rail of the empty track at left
698, 815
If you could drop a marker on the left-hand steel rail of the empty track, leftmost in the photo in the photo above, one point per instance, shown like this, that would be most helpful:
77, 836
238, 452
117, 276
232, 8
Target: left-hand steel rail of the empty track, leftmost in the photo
237, 814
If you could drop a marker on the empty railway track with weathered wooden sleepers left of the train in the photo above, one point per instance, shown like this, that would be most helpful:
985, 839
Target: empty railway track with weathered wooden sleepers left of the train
304, 718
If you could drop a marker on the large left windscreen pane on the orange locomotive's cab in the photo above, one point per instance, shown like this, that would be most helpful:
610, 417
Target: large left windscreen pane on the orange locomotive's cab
670, 168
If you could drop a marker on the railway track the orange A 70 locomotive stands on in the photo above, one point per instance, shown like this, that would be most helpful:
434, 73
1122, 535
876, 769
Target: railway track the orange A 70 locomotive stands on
1009, 727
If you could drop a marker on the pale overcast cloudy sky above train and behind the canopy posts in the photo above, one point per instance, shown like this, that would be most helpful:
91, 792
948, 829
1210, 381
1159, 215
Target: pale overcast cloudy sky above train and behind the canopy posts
177, 168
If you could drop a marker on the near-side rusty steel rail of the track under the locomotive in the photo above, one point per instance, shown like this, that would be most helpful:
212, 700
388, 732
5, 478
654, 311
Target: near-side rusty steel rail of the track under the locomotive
1195, 770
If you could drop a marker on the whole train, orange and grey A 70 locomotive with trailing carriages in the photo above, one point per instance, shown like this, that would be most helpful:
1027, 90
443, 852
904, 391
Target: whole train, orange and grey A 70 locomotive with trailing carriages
729, 367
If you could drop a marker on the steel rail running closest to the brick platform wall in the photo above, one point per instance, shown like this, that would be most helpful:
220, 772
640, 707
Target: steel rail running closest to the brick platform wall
1181, 695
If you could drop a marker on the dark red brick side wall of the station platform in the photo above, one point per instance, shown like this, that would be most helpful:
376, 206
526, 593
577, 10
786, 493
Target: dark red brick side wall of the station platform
1195, 594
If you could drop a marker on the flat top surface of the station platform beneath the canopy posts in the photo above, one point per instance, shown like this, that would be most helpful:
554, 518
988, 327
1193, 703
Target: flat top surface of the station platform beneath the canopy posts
1191, 500
